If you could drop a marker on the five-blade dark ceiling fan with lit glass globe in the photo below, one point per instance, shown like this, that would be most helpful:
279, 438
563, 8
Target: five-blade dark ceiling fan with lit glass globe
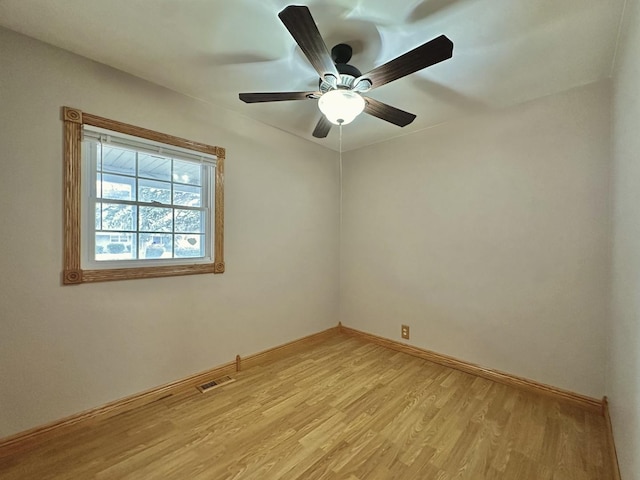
341, 85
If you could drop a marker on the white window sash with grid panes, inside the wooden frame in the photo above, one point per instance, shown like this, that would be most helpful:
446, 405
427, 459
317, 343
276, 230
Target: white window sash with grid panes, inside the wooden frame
144, 201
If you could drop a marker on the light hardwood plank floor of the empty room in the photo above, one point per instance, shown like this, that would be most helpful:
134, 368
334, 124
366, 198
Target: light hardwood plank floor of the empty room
344, 409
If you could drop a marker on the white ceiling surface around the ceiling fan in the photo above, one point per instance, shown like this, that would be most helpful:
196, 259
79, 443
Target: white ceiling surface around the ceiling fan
505, 51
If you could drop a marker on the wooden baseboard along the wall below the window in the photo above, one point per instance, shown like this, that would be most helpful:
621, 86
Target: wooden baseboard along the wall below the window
23, 440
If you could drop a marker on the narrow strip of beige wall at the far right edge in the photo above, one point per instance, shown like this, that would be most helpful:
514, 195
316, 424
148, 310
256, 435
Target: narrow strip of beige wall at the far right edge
623, 379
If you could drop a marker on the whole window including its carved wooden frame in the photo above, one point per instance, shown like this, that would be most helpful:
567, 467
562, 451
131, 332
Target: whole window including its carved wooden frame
138, 203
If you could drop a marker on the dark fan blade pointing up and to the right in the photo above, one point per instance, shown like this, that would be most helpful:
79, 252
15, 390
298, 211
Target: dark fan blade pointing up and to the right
430, 53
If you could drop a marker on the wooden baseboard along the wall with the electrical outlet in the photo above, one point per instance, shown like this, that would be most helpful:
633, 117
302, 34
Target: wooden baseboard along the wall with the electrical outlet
589, 403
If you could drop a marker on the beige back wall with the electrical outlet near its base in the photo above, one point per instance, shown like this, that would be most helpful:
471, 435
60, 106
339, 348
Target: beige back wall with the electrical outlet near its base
489, 237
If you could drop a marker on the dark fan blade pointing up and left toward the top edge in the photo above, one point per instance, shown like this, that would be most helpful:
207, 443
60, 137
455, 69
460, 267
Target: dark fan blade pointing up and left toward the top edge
302, 27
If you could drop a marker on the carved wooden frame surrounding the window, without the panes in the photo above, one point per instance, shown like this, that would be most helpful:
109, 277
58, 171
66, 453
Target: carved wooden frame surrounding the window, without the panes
73, 273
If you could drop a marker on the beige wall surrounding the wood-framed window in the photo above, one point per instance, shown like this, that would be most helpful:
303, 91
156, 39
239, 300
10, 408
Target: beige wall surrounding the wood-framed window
67, 349
